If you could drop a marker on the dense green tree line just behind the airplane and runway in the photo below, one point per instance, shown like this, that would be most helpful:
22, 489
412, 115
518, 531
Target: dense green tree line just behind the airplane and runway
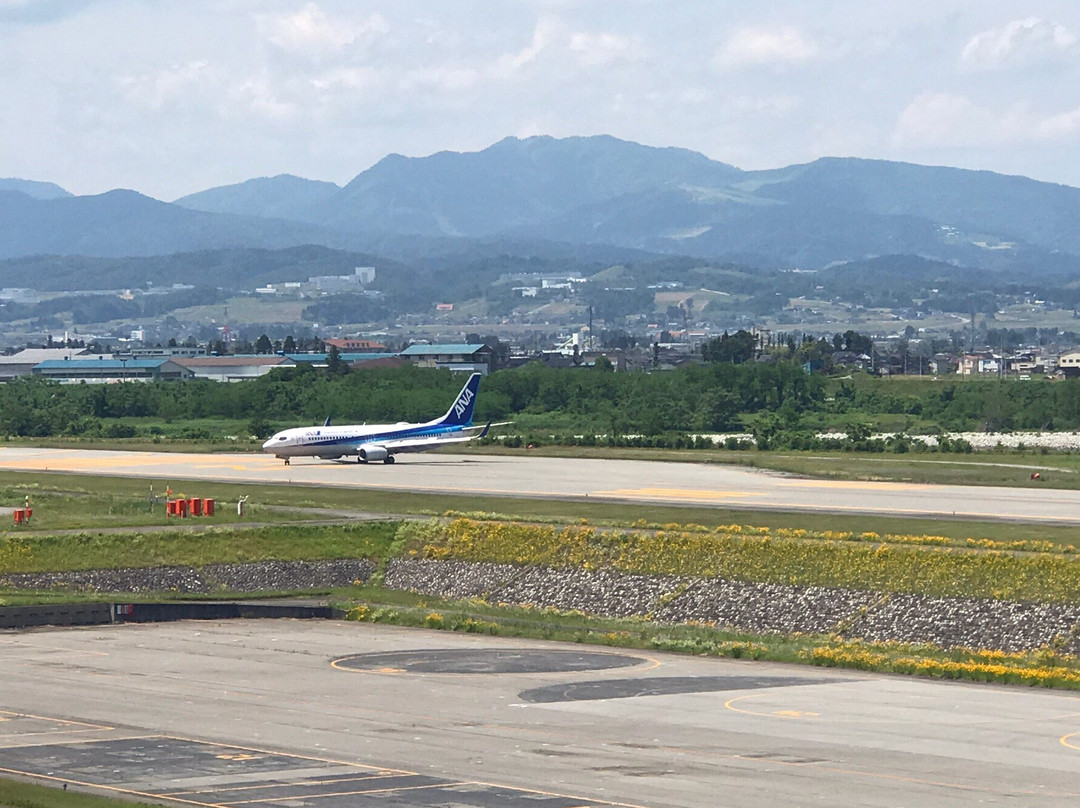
711, 398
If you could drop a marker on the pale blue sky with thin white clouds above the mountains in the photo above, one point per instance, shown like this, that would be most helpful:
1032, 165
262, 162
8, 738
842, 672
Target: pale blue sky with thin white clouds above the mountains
169, 98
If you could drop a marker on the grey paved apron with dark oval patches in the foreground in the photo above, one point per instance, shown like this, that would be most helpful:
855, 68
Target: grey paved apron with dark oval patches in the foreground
256, 713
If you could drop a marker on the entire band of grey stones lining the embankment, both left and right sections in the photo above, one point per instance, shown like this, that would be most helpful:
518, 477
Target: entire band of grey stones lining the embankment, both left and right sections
765, 609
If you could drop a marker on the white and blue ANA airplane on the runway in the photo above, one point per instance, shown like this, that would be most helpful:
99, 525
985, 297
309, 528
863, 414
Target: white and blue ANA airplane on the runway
382, 441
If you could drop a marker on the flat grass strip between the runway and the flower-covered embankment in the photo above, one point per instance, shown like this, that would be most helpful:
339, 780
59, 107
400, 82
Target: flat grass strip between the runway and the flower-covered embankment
66, 502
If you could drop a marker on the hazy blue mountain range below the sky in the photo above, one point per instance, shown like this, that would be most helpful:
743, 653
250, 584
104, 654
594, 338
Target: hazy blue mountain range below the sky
542, 194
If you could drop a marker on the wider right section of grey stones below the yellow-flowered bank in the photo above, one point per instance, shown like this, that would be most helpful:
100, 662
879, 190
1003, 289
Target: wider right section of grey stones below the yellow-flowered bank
768, 609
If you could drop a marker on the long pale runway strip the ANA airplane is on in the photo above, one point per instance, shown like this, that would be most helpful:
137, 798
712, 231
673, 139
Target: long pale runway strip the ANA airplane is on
629, 481
